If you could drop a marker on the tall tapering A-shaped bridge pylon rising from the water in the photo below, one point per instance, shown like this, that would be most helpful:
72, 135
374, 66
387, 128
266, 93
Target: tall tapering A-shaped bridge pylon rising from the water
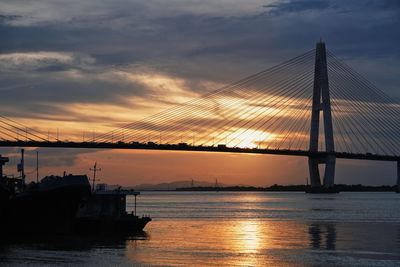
321, 103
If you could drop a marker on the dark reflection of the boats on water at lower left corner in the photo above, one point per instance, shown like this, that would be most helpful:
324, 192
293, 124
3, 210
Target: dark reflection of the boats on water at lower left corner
68, 250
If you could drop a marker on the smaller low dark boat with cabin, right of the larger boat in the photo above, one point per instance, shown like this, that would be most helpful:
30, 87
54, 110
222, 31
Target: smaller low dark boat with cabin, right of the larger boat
105, 212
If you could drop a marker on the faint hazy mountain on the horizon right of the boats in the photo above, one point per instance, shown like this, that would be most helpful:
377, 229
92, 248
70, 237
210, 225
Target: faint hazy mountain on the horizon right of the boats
175, 184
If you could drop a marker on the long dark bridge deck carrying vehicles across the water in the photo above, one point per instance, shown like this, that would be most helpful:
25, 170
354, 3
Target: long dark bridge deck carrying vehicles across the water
186, 147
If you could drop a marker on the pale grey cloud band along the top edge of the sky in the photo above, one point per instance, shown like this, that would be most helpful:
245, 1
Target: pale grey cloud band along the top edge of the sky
117, 13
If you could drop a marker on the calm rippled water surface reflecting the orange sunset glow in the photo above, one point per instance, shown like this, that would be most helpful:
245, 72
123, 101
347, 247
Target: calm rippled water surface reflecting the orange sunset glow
235, 229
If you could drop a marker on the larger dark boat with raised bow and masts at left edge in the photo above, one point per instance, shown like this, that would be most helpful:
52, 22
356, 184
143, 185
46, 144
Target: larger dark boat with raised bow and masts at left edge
45, 206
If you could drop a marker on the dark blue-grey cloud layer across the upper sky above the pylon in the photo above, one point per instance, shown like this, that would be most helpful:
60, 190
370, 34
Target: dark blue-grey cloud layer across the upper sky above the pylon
192, 46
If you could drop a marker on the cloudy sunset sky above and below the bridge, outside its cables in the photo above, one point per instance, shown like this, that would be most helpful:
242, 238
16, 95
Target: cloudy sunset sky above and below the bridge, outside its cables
91, 66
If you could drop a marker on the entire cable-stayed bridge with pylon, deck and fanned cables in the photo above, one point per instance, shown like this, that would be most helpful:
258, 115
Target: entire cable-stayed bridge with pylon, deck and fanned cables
313, 105
